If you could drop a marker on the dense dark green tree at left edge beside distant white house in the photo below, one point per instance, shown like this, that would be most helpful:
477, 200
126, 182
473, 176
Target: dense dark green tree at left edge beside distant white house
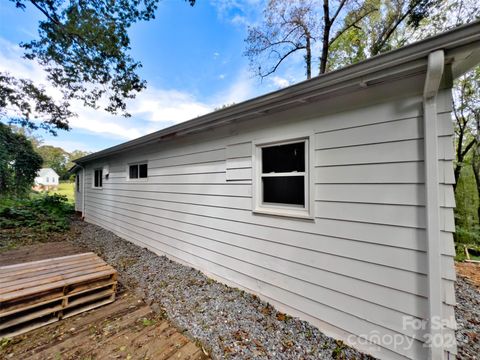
19, 163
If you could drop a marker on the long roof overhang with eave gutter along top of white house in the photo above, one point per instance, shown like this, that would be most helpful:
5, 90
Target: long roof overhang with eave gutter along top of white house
461, 47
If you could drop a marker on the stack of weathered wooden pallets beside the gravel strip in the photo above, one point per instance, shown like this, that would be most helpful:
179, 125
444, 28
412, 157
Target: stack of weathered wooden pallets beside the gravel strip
38, 293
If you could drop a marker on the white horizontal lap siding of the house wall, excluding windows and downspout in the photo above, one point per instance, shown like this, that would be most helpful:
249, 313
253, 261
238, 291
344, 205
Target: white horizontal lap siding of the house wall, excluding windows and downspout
360, 266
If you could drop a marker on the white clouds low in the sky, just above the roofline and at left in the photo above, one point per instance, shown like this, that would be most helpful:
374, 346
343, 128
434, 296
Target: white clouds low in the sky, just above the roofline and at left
151, 110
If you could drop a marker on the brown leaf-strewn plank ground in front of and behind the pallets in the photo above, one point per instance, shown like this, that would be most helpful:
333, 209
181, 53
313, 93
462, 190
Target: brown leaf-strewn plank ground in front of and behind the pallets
126, 329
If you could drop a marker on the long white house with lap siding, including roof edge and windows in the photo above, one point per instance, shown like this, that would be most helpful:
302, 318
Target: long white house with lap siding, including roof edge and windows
332, 199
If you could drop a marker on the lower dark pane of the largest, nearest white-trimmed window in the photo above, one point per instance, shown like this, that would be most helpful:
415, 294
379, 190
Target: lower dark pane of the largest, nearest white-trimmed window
284, 190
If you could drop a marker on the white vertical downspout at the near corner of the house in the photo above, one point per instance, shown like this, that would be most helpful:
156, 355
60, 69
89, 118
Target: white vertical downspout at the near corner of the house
432, 83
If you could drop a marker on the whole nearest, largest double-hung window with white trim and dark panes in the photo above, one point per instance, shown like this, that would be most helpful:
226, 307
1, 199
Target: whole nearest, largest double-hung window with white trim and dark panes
282, 178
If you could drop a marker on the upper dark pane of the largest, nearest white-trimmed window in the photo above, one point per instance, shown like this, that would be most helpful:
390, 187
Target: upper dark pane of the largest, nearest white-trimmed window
283, 158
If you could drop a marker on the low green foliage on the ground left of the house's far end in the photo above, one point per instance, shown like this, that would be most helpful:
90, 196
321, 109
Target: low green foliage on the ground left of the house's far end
40, 212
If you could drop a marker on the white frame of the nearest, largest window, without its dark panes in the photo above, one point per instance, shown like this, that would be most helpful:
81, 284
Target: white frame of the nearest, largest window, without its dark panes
286, 210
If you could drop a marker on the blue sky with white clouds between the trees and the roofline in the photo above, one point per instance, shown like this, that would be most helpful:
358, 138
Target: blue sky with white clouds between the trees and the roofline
192, 60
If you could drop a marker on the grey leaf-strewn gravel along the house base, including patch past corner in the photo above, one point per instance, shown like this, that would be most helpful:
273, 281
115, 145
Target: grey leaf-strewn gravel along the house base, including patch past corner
232, 323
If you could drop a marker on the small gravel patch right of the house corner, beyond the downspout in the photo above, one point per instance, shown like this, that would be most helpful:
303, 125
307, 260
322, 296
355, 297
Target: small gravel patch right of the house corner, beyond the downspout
468, 319
